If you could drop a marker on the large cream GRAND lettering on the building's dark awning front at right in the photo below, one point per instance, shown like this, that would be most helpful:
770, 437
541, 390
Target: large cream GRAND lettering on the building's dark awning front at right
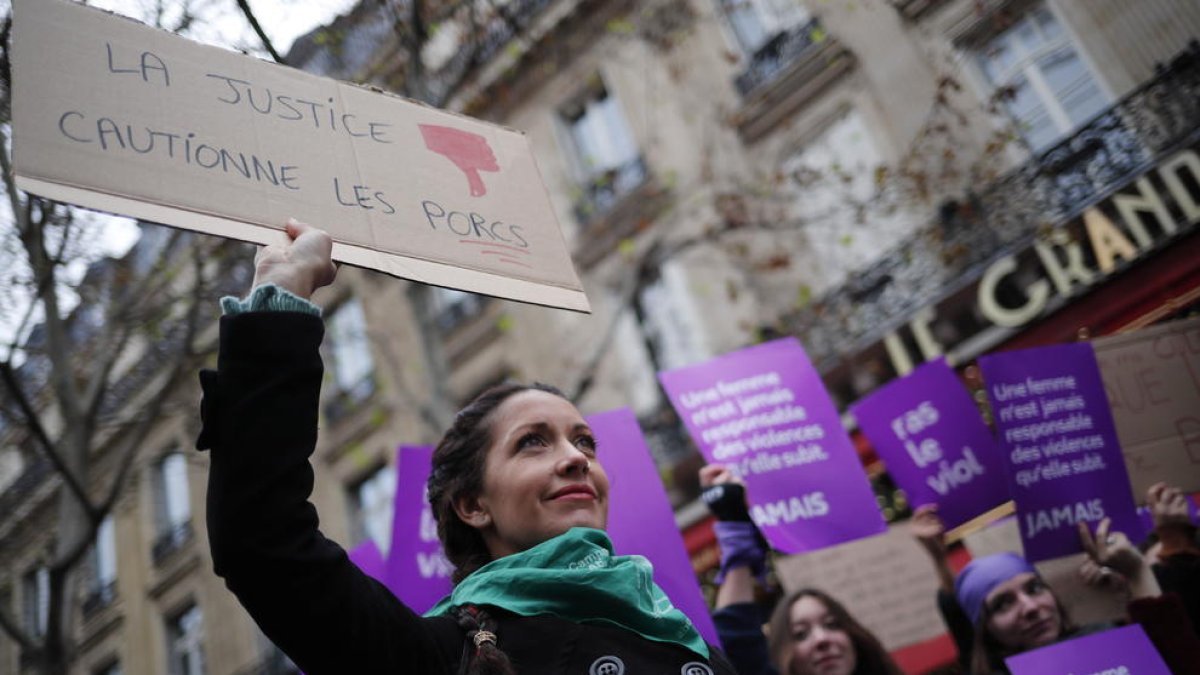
1143, 217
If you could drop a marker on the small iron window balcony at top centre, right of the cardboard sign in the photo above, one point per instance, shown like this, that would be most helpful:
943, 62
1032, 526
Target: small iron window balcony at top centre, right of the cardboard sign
785, 74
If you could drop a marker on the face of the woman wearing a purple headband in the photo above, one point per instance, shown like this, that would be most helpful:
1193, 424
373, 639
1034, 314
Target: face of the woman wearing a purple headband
1023, 613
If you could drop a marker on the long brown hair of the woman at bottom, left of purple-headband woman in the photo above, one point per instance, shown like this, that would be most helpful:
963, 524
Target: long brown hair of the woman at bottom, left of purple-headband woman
869, 653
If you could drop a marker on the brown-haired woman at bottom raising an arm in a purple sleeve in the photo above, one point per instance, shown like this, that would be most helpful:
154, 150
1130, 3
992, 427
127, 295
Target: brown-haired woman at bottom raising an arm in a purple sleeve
811, 632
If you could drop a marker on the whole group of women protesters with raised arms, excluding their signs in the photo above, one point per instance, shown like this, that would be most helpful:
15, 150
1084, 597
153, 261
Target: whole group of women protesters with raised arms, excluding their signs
521, 501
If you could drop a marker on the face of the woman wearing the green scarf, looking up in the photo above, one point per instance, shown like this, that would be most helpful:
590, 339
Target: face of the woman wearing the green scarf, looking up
541, 476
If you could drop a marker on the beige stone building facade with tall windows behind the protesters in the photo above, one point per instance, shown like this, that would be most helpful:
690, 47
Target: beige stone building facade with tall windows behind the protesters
887, 181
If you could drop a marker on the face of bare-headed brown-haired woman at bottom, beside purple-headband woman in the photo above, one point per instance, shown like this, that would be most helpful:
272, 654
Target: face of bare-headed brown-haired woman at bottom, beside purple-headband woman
820, 644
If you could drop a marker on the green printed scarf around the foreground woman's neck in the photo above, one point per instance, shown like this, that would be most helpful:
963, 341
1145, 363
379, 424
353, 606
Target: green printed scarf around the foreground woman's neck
577, 577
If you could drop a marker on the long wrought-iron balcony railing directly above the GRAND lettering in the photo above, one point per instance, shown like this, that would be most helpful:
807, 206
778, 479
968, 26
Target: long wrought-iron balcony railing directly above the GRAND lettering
1005, 218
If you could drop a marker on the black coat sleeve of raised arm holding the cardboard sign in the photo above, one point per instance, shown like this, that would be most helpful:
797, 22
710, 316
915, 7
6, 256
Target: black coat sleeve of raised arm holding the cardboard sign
260, 414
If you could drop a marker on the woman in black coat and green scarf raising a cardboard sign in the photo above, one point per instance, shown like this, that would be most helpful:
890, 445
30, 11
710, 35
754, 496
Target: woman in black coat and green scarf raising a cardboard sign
517, 486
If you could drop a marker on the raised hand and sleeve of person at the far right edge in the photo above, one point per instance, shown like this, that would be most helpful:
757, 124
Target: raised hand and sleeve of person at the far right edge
1175, 555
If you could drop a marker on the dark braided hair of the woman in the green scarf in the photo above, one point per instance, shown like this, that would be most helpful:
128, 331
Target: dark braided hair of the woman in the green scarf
457, 473
